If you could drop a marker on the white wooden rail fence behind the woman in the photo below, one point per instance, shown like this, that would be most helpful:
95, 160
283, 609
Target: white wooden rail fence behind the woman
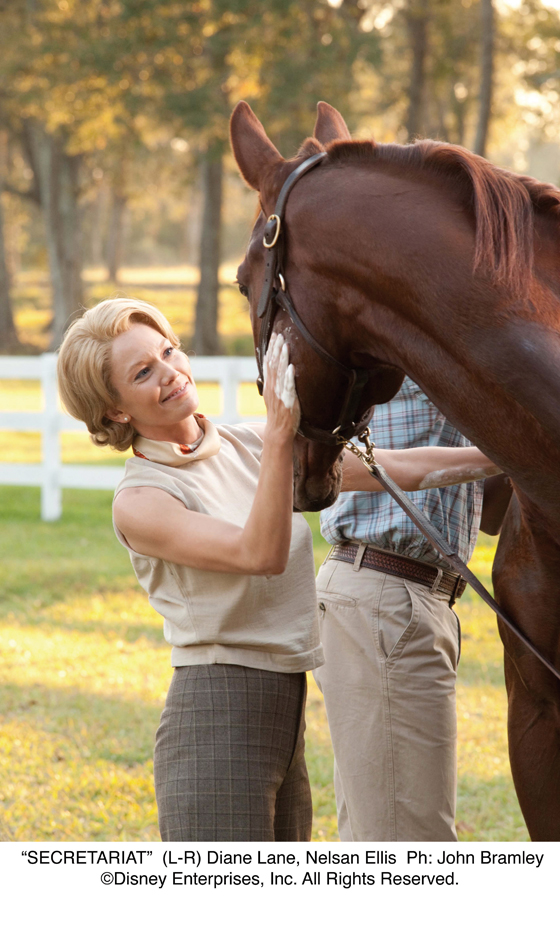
51, 474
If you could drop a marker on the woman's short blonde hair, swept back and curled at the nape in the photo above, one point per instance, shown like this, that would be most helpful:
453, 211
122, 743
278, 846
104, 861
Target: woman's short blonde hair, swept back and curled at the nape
84, 365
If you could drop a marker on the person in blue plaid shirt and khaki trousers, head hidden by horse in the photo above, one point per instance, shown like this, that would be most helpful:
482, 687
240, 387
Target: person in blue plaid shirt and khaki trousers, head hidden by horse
392, 641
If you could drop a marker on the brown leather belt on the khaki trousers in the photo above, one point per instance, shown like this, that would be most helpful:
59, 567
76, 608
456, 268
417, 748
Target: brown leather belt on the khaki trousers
434, 578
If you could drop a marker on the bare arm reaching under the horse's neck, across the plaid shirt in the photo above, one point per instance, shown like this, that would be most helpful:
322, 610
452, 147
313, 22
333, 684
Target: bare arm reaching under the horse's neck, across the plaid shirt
419, 468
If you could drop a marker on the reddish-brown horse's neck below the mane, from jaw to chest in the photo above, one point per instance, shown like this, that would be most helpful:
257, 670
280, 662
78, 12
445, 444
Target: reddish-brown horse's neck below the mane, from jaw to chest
491, 367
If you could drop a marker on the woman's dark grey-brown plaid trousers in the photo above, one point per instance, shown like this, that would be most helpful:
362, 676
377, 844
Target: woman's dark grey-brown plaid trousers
229, 757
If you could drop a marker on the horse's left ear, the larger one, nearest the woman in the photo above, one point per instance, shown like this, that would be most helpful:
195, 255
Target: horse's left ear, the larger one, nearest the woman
252, 149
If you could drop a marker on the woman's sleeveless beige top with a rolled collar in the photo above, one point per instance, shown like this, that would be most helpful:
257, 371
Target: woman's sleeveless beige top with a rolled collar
216, 617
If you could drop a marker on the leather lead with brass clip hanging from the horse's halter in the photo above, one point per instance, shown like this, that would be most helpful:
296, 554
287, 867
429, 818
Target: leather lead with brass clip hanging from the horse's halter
437, 539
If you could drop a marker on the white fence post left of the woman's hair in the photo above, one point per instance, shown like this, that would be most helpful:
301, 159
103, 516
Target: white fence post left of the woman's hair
51, 494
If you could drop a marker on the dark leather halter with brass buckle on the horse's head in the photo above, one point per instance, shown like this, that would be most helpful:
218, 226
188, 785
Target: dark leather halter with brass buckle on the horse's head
275, 295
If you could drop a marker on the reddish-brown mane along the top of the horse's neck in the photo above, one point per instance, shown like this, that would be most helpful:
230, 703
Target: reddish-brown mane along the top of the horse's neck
503, 203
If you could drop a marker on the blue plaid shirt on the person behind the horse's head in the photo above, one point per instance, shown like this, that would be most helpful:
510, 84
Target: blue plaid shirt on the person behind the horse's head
409, 420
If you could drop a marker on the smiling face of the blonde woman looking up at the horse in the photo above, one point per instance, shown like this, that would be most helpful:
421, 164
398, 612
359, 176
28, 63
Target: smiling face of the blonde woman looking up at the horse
153, 380
